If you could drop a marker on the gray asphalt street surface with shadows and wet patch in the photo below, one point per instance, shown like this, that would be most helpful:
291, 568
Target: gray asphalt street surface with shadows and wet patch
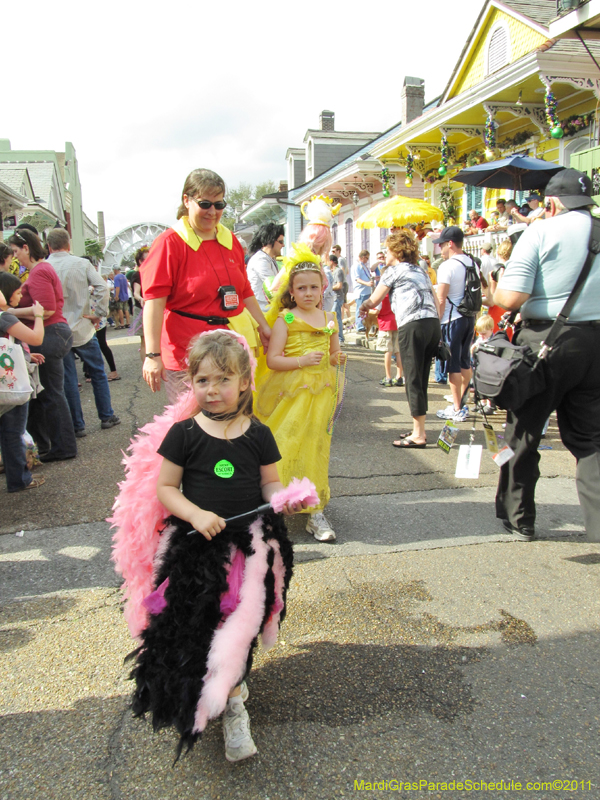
425, 645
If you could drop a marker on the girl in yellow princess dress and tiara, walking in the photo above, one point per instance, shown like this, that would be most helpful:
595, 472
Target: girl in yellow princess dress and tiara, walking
296, 399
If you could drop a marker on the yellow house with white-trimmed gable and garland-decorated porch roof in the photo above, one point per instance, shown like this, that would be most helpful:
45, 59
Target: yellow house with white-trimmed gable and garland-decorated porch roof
511, 87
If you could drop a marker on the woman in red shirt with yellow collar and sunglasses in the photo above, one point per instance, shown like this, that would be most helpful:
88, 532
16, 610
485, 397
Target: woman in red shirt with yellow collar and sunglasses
195, 280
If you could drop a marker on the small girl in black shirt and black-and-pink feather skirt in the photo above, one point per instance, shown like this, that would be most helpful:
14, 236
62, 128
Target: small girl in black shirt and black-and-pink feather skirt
221, 571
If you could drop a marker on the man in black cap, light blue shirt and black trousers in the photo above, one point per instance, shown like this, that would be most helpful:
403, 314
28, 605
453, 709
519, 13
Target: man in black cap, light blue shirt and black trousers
539, 278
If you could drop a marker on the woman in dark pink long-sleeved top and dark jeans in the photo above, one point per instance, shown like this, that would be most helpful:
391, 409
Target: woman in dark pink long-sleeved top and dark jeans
49, 420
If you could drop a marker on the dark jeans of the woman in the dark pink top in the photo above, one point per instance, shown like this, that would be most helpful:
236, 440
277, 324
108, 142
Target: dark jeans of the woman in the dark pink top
49, 421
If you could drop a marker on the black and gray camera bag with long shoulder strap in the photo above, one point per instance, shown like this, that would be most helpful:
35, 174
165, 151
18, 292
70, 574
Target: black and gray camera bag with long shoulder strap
509, 374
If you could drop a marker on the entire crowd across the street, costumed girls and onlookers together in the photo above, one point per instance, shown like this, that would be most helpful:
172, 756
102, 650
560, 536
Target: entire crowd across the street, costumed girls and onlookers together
252, 361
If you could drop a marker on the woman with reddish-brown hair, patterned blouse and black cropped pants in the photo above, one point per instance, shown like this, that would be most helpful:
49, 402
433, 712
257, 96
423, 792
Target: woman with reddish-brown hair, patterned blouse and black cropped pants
416, 308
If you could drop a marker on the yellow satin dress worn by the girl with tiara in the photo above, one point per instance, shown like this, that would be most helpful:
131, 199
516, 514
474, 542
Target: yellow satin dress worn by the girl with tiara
297, 405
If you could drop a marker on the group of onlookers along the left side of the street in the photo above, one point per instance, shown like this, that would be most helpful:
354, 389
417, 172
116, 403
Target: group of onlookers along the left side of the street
76, 304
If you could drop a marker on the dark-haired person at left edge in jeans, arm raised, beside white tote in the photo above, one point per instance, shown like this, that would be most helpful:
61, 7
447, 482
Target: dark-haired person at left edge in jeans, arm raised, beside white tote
13, 422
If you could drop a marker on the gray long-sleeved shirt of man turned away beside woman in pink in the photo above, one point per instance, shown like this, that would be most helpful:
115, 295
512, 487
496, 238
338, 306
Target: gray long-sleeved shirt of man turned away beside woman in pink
77, 275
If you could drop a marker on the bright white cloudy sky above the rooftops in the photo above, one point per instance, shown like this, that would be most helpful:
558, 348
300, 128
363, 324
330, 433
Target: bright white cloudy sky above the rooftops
148, 91
